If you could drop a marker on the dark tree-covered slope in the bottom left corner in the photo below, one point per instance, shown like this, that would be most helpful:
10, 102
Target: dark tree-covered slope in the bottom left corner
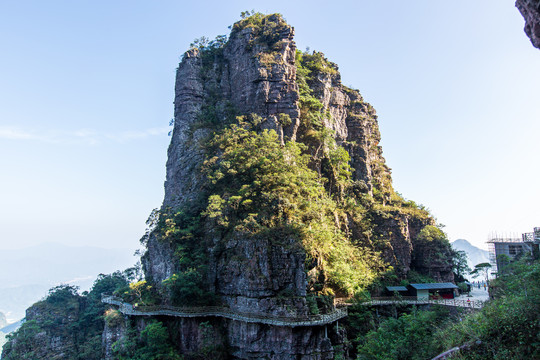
64, 314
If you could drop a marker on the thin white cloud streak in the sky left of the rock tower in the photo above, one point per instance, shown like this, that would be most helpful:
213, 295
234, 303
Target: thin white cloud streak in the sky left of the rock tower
87, 136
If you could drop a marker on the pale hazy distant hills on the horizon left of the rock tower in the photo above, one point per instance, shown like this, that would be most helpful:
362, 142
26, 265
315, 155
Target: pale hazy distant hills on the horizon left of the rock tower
26, 274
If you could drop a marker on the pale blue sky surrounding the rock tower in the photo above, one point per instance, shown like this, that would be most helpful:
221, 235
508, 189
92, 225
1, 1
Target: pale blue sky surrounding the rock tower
87, 88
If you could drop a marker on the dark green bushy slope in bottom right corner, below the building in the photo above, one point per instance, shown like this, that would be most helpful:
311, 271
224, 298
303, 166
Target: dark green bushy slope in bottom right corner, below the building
509, 326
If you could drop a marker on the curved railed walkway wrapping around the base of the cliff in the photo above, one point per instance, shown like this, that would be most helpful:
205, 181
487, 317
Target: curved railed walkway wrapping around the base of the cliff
218, 311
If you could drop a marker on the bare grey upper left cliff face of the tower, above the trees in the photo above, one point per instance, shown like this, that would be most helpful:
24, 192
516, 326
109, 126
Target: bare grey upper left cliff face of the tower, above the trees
246, 76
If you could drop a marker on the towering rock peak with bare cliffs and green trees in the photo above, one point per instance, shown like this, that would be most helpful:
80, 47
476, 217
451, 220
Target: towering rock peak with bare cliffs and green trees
277, 195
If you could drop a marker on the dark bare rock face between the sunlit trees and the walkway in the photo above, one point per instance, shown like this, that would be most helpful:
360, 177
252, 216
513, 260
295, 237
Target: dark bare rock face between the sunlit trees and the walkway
255, 275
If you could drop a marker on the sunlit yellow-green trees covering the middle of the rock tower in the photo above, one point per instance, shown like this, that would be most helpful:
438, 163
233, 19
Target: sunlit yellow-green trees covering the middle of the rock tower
260, 186
